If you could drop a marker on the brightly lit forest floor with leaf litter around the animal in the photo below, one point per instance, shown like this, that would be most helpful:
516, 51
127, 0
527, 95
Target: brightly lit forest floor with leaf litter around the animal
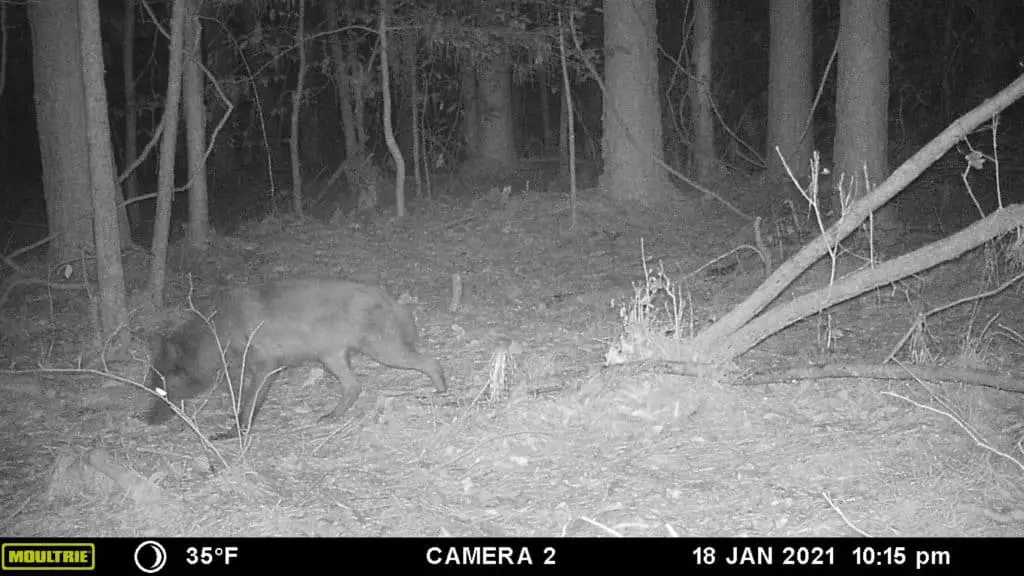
574, 447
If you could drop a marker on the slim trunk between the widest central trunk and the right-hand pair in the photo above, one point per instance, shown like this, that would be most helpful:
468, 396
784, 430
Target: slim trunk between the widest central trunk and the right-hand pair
705, 157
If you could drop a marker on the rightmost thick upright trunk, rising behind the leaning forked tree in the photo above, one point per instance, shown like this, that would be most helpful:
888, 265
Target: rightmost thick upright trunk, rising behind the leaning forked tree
863, 103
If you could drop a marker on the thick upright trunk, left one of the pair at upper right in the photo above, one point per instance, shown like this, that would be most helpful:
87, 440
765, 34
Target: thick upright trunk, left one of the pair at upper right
790, 89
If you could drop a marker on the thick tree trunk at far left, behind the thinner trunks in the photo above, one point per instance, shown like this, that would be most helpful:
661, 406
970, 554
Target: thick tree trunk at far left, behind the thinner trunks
62, 126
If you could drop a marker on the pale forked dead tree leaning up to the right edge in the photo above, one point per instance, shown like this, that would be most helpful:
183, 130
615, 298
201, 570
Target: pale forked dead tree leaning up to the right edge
742, 330
